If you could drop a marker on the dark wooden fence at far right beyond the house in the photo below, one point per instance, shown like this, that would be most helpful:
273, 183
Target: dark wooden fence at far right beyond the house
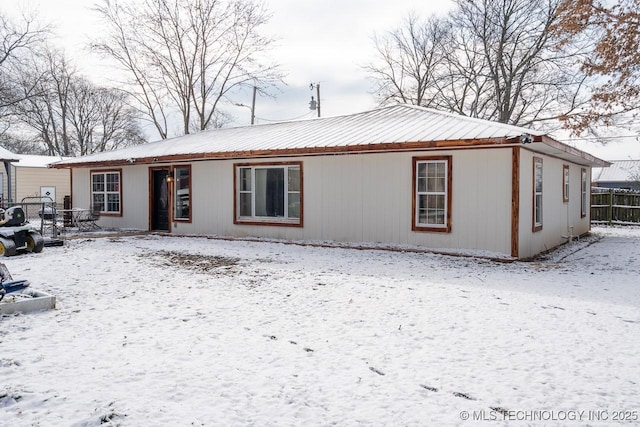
615, 206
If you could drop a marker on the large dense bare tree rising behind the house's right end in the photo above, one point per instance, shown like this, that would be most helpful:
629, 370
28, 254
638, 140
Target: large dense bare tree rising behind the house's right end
532, 77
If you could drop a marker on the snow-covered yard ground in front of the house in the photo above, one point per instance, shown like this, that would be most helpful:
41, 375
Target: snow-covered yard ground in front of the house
270, 334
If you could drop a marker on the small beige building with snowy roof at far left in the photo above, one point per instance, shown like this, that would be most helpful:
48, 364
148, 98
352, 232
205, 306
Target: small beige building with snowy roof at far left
28, 177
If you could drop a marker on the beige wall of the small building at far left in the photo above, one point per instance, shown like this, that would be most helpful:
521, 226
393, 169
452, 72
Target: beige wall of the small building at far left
26, 182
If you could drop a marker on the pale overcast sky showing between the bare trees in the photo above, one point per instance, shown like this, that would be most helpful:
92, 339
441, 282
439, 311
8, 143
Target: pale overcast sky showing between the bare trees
325, 42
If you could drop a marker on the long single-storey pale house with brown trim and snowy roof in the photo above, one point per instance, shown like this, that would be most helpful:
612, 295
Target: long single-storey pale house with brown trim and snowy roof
399, 175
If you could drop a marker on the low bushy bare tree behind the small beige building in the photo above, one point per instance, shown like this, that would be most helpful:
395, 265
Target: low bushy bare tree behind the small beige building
70, 115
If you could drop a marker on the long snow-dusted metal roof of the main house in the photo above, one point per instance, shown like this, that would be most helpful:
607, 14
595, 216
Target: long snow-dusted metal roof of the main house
395, 128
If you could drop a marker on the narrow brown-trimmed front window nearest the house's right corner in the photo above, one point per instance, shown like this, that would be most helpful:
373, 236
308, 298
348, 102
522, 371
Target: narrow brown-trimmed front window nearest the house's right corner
432, 194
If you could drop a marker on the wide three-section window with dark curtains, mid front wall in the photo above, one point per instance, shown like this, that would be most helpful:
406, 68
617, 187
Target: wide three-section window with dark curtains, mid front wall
269, 194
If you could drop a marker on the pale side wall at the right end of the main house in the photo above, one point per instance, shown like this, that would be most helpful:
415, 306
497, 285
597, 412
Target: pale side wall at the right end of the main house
559, 219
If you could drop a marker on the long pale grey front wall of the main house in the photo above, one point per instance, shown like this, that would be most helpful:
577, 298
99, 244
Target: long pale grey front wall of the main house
347, 198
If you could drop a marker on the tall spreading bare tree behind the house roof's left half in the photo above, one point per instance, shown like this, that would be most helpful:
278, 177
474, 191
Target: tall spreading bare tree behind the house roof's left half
187, 55
